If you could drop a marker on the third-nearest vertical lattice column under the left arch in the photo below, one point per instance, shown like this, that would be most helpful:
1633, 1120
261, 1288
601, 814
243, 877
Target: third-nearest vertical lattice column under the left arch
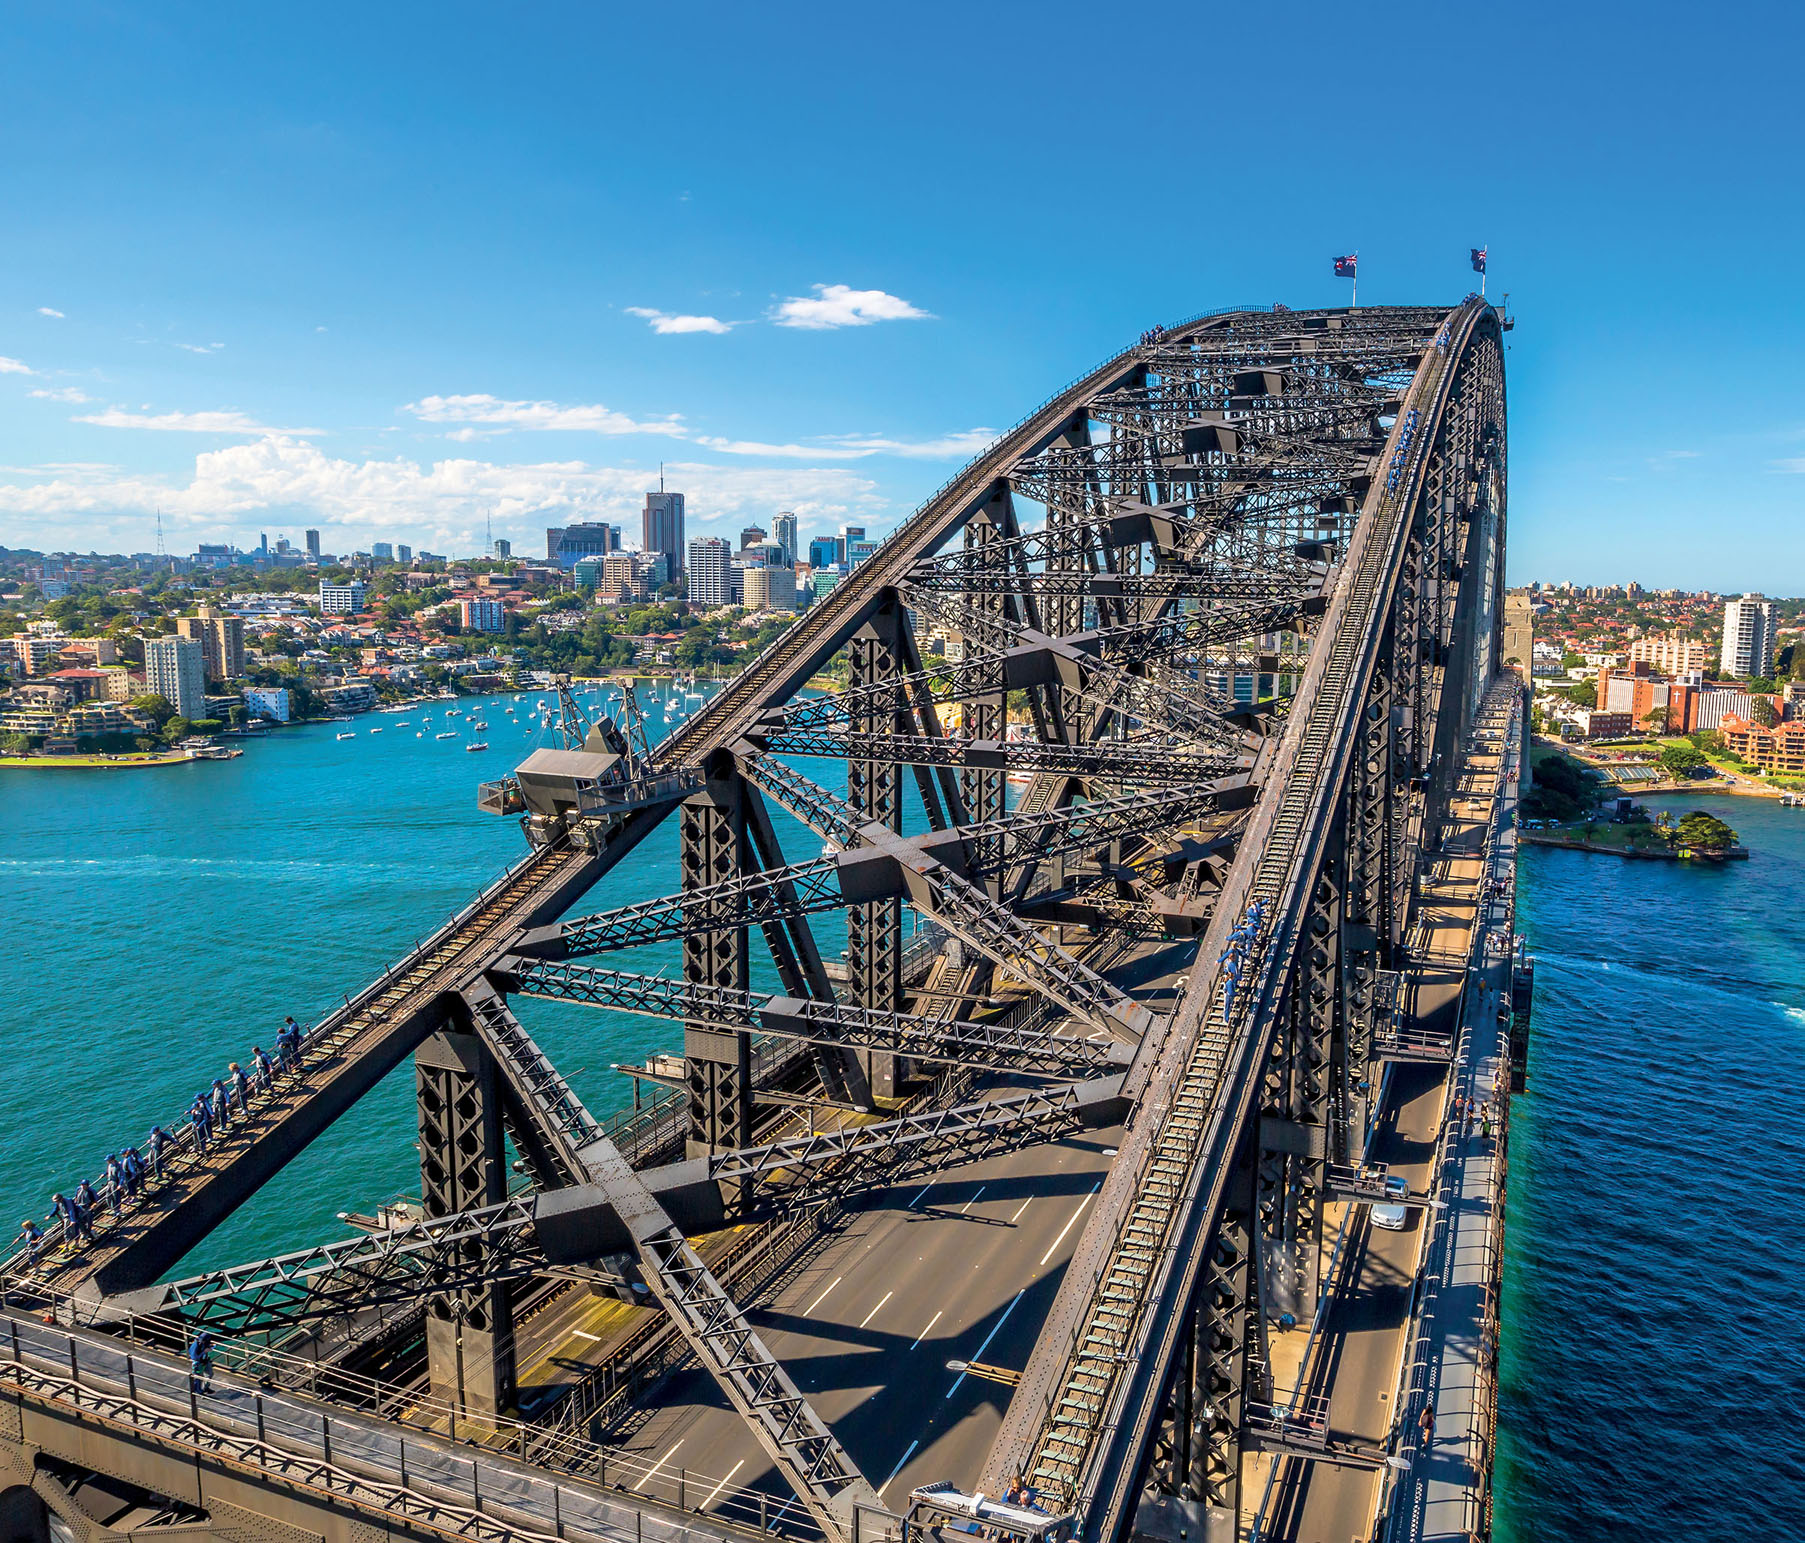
875, 929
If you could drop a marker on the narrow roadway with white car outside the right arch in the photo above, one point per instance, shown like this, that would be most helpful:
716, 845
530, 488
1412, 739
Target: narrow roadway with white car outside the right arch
1371, 1320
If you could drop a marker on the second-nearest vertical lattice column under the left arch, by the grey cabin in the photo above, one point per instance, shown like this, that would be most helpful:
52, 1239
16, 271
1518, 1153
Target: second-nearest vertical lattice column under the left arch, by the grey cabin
717, 1067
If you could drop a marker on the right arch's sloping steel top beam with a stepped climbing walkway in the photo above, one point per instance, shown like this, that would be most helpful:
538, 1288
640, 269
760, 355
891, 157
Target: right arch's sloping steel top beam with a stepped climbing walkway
1088, 1427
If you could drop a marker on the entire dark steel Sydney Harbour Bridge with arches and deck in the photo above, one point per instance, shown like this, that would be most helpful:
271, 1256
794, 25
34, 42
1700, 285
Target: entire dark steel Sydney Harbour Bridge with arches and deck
1023, 1203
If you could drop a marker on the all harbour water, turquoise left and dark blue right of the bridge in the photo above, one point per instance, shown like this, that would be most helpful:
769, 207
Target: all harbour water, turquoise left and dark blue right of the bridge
165, 919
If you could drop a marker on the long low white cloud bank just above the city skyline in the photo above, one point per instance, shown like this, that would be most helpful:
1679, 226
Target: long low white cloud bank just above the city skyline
443, 503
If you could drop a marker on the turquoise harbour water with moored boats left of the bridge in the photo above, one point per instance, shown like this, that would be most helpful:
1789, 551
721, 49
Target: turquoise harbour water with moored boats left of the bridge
162, 921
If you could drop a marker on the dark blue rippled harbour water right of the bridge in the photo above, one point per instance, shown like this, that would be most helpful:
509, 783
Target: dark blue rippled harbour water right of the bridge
1656, 1268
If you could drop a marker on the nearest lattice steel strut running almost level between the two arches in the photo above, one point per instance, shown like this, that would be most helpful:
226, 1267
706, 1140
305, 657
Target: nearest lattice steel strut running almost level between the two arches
965, 1044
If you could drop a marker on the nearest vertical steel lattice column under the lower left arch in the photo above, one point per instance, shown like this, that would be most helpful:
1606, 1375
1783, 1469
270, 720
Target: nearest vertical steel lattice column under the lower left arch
470, 1335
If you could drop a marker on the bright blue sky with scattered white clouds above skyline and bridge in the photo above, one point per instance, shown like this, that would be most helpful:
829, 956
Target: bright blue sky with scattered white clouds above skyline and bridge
393, 270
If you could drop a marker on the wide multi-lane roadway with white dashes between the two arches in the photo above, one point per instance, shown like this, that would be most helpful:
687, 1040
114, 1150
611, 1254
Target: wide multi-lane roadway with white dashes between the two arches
911, 1279
